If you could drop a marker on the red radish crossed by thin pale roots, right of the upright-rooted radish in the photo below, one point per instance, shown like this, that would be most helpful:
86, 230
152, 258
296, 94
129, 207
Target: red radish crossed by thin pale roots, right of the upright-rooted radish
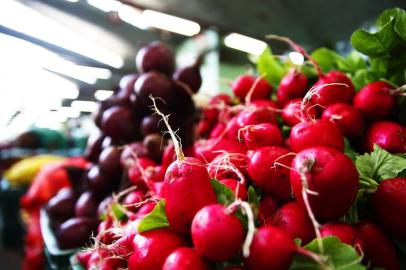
216, 166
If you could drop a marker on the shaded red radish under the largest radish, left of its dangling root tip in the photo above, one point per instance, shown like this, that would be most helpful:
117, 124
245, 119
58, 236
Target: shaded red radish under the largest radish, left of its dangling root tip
293, 218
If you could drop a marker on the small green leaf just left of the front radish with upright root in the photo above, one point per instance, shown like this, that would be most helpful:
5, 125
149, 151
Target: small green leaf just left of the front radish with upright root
154, 220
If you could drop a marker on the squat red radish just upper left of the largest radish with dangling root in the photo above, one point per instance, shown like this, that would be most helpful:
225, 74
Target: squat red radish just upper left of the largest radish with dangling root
265, 134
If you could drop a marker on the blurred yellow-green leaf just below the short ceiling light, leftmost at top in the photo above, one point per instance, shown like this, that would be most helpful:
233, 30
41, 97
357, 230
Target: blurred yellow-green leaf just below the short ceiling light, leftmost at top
270, 67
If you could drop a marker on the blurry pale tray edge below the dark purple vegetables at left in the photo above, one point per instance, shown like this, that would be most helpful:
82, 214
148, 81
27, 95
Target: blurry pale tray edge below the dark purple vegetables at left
55, 257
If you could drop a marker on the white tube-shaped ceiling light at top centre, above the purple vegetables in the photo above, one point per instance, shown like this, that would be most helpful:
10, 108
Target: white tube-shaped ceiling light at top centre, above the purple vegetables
170, 23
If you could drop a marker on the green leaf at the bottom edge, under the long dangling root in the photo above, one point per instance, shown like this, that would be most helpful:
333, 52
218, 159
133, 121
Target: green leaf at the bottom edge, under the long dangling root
337, 255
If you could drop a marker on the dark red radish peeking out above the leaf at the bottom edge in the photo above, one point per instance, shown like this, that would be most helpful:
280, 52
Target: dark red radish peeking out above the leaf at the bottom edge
346, 233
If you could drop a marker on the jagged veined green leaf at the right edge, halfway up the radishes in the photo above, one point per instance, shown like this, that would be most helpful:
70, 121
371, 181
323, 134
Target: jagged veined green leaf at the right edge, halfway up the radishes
380, 164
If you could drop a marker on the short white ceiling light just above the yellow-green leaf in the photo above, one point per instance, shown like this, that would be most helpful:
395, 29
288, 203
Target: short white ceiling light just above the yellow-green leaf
244, 43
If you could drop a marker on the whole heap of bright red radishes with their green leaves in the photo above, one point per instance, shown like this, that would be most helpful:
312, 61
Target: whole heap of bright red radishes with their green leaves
303, 168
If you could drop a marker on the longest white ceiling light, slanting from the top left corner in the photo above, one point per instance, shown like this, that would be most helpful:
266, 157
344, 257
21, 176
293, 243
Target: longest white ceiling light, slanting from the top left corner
39, 26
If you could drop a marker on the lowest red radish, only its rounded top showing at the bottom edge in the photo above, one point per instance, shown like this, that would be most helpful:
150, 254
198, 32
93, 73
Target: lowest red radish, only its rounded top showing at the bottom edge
185, 258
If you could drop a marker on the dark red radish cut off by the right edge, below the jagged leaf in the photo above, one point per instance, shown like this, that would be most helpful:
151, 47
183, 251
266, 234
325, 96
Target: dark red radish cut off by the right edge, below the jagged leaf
389, 202
